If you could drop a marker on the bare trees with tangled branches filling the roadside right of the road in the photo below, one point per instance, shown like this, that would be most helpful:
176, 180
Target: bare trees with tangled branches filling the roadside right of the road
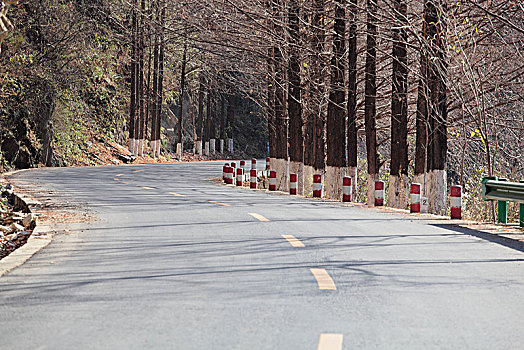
403, 91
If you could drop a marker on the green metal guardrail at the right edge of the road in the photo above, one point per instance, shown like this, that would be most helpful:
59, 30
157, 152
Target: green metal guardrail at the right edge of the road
502, 190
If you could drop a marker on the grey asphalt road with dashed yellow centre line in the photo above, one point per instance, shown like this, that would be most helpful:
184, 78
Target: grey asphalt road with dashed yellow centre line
176, 261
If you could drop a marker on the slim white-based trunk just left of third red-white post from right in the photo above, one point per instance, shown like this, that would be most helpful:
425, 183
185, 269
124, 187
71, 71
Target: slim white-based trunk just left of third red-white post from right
370, 102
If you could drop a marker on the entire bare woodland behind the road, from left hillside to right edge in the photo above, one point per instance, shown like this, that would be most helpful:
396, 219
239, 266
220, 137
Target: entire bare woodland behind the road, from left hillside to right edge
426, 91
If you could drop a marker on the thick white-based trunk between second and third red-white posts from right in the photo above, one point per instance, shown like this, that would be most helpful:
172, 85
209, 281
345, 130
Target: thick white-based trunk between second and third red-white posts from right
399, 111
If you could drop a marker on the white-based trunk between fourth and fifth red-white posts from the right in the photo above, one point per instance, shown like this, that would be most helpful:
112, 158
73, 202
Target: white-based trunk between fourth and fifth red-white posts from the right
336, 117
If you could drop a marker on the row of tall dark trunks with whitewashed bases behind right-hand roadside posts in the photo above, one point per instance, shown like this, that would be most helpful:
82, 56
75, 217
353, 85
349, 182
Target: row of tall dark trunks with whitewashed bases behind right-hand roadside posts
323, 95
